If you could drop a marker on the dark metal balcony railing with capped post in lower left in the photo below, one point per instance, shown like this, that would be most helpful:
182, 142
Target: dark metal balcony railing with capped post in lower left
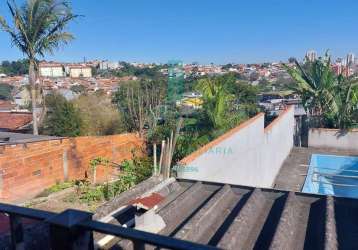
73, 229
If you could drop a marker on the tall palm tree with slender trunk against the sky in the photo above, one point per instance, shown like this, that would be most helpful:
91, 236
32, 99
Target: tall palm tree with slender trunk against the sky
38, 28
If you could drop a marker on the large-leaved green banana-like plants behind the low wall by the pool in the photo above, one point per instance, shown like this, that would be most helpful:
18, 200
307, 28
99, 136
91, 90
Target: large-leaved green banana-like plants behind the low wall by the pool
330, 98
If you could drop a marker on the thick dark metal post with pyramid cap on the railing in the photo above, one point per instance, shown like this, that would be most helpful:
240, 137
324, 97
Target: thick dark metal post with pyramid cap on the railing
65, 232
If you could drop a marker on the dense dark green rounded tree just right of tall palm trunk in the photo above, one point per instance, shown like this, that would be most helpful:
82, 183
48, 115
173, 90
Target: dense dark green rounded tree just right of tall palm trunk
62, 118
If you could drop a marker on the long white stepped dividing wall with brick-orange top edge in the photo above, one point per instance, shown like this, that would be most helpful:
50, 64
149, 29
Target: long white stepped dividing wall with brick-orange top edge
248, 155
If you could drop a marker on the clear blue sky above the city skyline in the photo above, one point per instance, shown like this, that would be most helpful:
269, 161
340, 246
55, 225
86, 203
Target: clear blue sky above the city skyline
204, 31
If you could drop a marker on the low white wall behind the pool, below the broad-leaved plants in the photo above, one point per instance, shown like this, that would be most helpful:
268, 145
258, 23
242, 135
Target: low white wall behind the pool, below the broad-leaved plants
333, 138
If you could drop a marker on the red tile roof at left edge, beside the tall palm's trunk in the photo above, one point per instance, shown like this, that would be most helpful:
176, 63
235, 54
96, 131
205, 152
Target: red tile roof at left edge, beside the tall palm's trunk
14, 120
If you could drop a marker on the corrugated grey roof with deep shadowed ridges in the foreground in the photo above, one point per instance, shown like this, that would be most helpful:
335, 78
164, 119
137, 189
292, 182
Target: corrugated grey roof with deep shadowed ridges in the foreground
238, 217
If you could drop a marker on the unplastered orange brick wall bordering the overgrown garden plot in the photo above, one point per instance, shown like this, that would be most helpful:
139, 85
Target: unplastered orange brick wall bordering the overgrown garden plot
27, 169
